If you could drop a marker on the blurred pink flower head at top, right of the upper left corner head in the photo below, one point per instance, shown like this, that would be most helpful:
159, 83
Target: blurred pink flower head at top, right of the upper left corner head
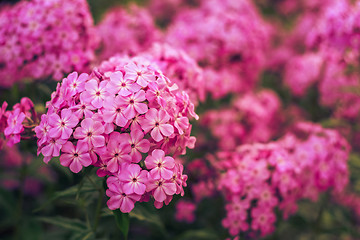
128, 31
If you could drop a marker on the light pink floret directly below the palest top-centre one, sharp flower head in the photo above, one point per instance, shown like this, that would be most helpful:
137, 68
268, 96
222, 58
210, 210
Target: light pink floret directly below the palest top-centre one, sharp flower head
114, 111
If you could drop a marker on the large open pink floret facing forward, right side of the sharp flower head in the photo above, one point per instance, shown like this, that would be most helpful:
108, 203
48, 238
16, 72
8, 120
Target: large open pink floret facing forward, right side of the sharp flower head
157, 121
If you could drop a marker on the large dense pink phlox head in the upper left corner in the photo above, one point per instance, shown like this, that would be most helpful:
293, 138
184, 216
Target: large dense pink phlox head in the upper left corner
45, 38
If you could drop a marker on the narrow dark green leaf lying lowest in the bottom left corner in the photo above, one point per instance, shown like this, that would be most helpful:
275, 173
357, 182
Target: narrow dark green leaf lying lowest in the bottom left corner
67, 223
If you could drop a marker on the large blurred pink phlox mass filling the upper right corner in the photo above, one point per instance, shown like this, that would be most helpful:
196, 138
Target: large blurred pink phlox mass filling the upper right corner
323, 48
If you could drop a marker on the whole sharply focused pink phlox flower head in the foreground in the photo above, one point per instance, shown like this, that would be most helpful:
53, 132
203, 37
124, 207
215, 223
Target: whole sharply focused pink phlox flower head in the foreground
126, 118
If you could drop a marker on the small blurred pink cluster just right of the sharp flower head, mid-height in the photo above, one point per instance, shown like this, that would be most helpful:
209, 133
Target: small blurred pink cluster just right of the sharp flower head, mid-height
252, 117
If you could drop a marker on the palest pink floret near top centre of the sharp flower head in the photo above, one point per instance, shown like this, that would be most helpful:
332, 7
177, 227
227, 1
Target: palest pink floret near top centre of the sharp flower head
120, 85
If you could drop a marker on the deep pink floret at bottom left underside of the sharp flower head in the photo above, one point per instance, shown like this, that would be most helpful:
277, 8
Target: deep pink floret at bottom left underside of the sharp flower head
75, 158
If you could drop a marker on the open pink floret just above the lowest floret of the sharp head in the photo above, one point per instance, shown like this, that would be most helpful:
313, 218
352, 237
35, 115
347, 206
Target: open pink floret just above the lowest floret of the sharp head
134, 179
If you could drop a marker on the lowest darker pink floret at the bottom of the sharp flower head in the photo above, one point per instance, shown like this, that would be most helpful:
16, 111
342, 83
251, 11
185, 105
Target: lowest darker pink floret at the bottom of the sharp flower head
119, 199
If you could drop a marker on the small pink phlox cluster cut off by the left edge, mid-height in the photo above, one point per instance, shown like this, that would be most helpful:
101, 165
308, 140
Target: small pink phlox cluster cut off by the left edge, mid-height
18, 122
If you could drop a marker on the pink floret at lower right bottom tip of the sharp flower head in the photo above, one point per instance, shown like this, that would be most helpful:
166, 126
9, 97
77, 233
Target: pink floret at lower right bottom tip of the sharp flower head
161, 188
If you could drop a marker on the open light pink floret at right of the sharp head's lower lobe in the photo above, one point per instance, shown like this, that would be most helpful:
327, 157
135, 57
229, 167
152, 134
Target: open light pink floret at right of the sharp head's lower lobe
161, 166
